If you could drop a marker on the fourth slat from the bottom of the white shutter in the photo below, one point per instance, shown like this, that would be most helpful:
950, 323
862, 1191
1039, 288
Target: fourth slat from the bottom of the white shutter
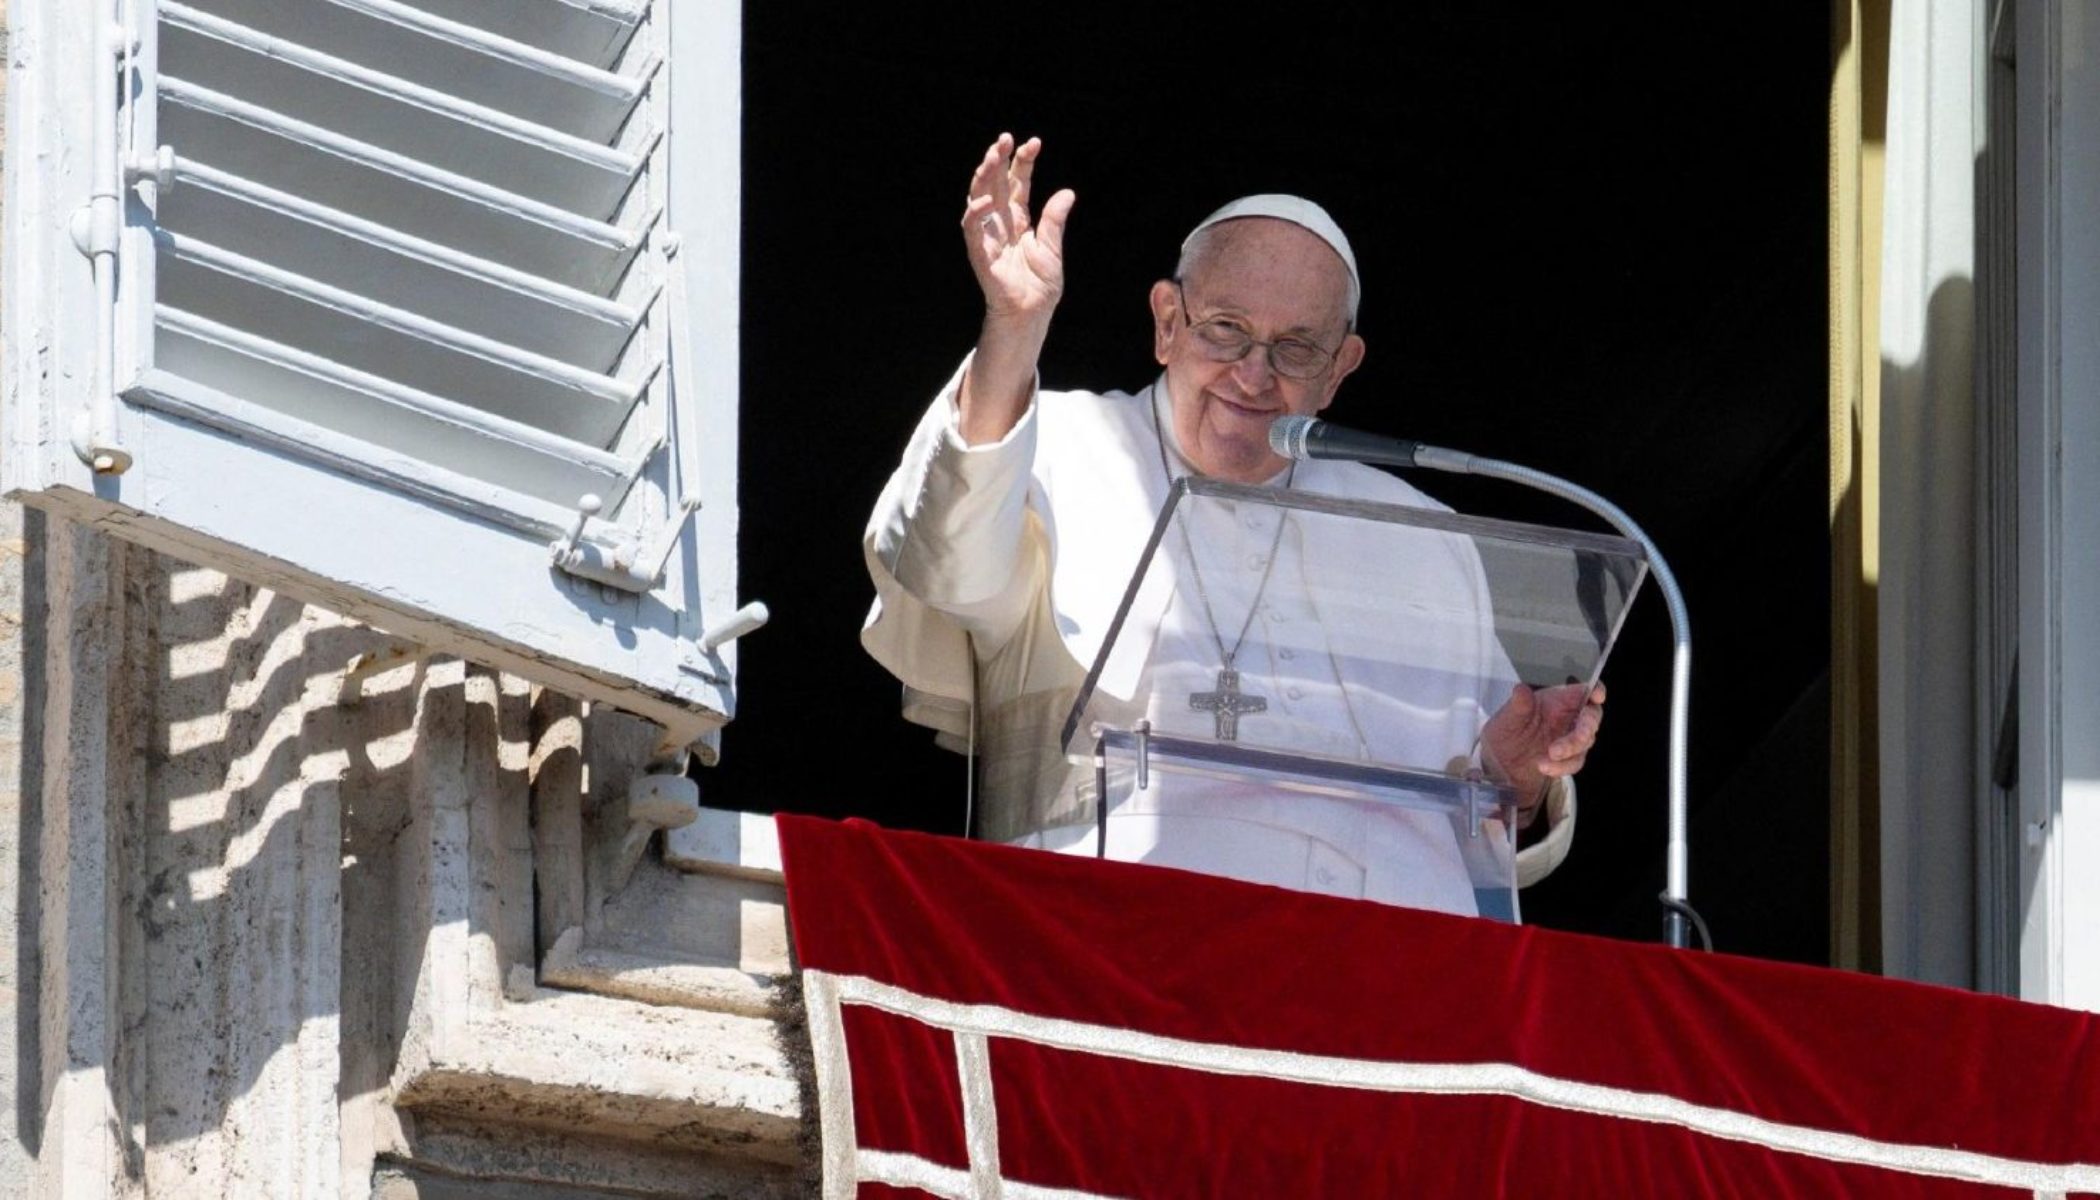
387, 188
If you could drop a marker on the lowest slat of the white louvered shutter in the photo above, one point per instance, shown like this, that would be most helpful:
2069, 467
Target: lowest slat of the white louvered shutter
392, 417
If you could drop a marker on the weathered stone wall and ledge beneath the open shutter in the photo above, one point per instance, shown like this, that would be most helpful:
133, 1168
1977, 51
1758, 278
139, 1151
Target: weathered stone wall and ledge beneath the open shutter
278, 930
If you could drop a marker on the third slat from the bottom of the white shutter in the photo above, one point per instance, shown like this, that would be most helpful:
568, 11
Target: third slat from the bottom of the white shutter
406, 272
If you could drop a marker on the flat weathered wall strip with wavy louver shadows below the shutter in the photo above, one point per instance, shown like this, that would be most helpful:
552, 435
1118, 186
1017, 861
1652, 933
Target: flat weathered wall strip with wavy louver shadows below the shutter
234, 978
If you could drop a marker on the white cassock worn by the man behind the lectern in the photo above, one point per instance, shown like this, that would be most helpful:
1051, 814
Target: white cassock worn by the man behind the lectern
999, 573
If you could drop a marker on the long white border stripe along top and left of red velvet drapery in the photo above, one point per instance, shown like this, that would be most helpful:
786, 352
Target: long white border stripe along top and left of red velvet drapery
1444, 1079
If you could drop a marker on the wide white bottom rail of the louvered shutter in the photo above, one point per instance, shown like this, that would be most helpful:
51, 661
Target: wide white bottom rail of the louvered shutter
625, 650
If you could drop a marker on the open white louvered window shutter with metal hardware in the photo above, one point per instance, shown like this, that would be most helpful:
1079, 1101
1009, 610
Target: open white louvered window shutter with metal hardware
421, 310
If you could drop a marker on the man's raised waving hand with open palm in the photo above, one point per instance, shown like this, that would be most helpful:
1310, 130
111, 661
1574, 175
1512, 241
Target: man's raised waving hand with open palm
1020, 264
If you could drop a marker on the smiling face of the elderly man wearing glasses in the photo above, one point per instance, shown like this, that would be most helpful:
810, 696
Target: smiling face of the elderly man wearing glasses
1269, 281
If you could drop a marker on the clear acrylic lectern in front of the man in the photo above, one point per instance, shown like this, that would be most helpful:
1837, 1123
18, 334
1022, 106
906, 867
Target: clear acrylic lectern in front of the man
1295, 692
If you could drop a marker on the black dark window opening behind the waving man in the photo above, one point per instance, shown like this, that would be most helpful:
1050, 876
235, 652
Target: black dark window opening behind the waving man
1591, 241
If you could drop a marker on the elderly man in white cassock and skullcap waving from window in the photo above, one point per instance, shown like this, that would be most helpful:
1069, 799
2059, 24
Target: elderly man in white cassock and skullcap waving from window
1003, 543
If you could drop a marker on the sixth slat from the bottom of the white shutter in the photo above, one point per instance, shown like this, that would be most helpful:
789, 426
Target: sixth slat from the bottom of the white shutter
461, 60
